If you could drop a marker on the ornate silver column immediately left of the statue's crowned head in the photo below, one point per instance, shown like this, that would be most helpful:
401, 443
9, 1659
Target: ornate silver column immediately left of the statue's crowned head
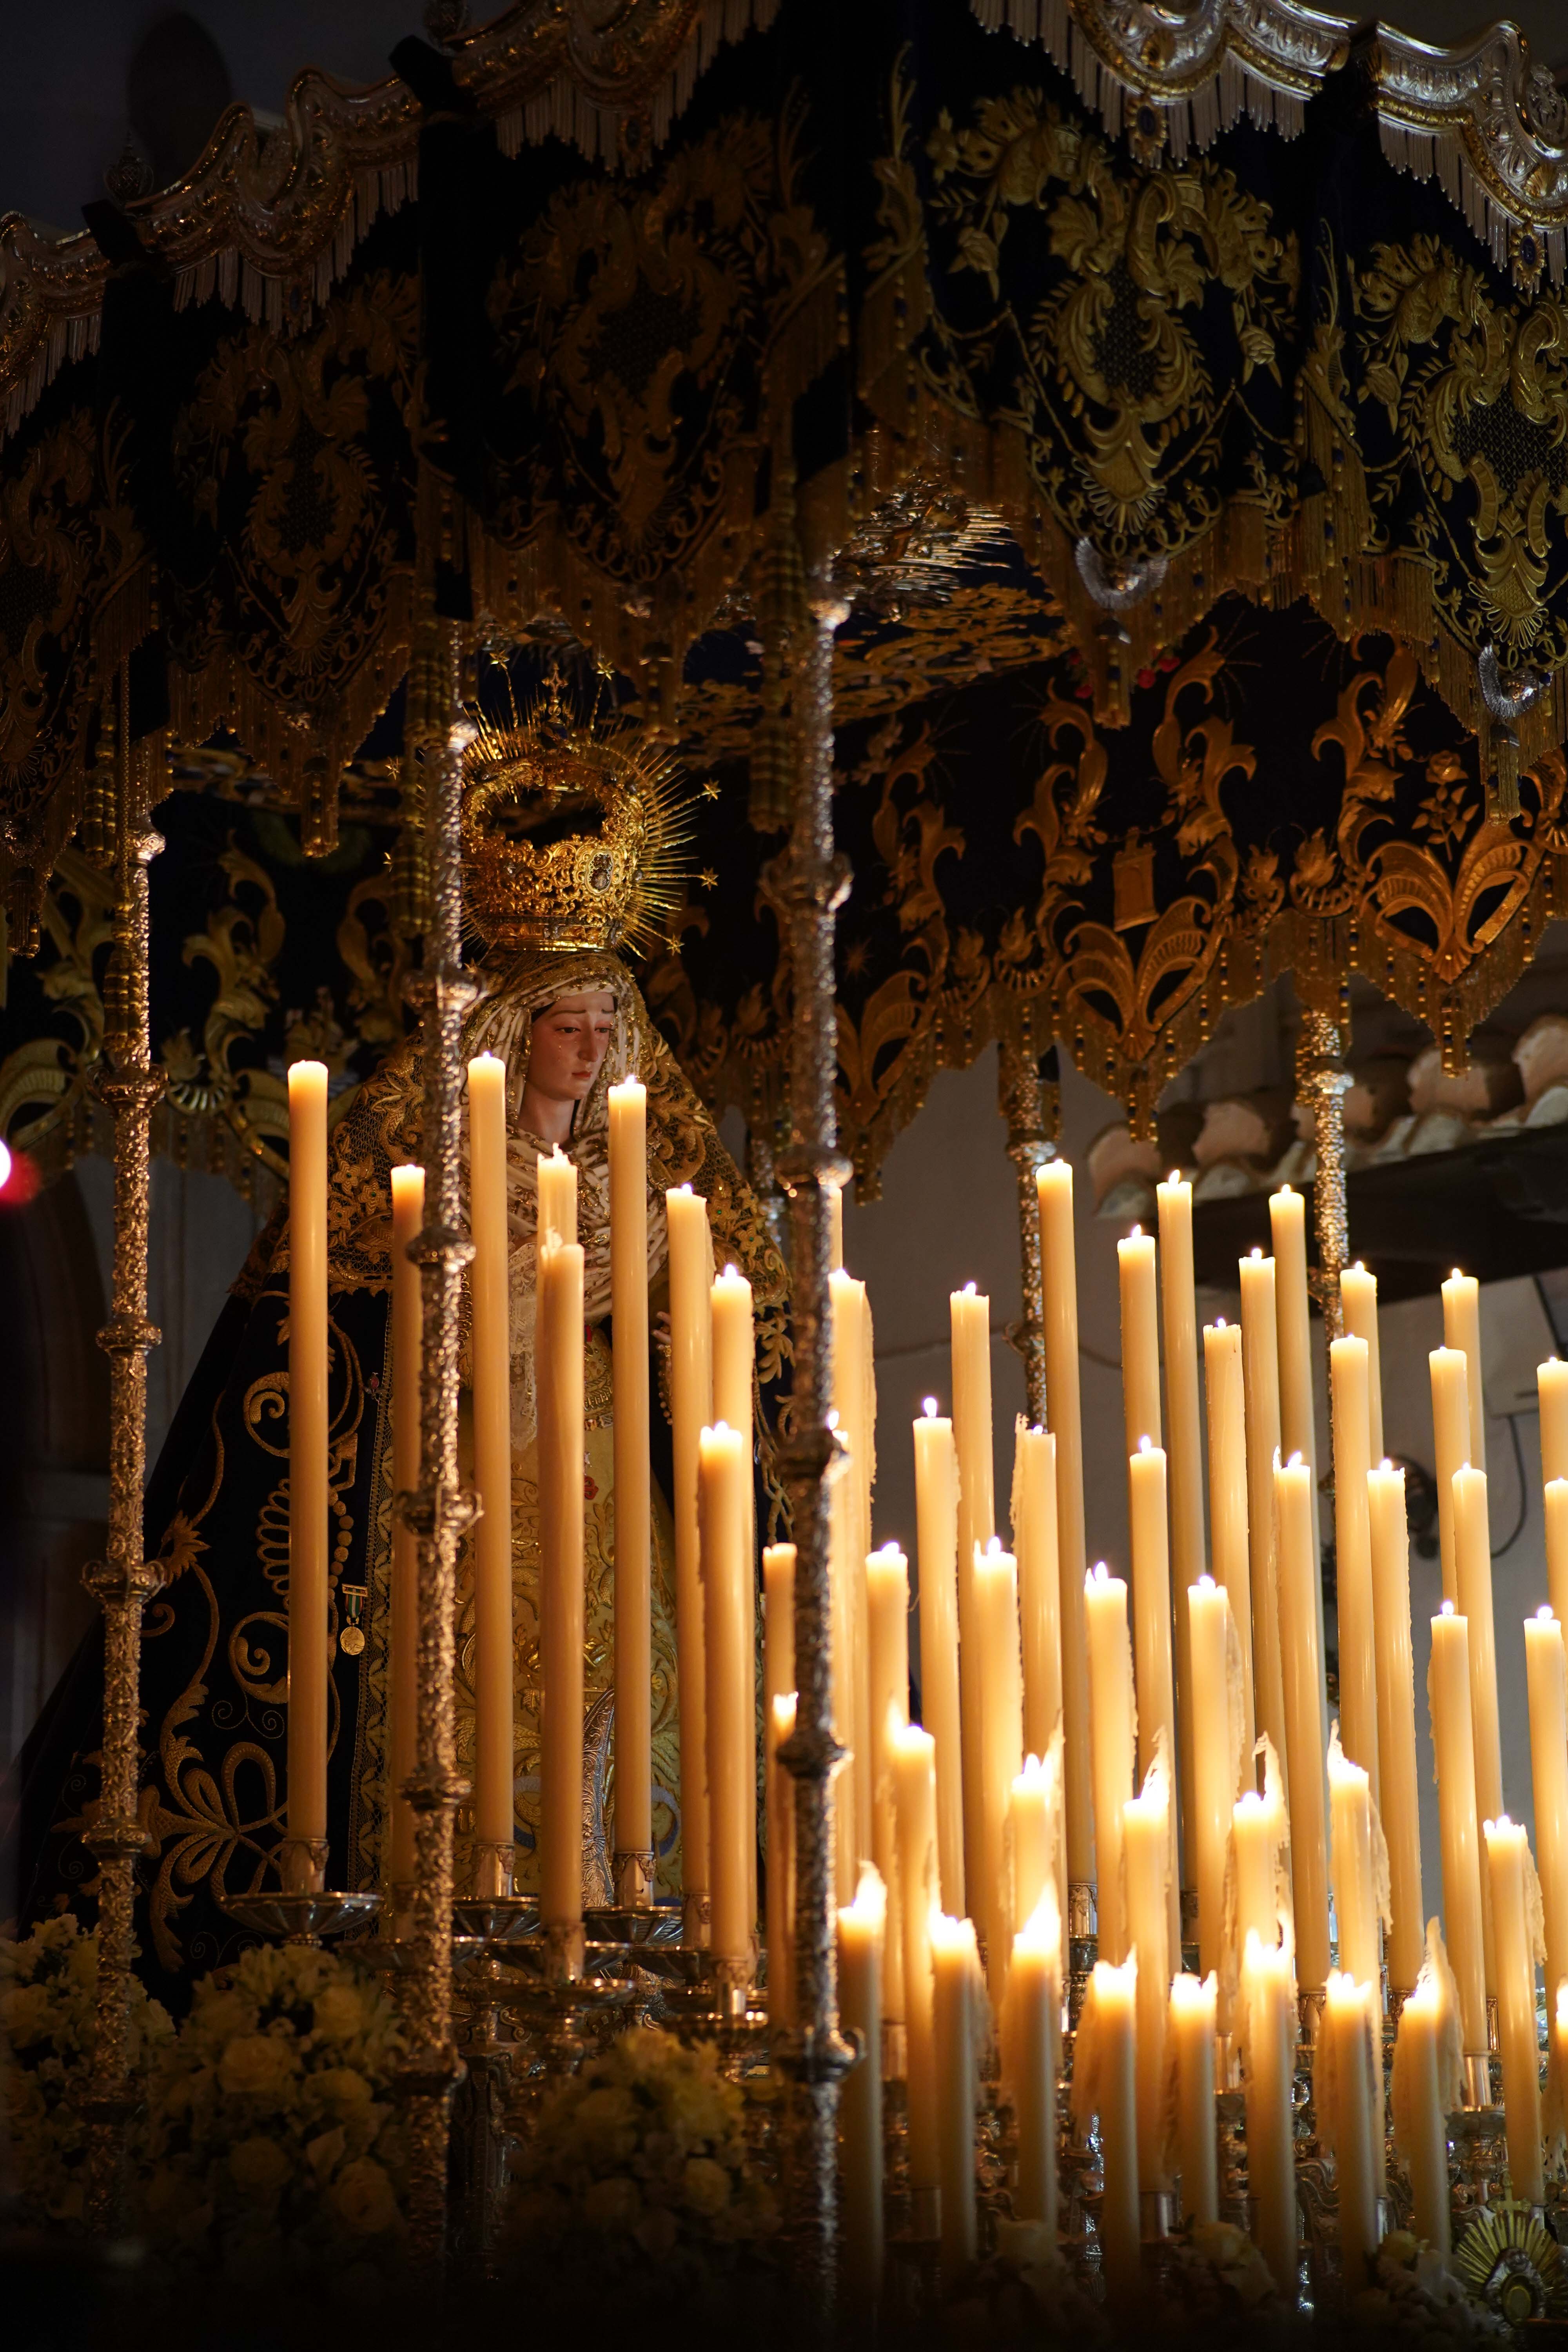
441, 1509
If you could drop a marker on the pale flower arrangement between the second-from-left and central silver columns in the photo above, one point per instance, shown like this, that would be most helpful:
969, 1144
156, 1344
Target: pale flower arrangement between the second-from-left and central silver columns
641, 2163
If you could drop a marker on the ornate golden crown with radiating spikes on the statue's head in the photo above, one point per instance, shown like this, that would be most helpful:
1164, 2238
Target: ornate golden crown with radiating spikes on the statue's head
572, 834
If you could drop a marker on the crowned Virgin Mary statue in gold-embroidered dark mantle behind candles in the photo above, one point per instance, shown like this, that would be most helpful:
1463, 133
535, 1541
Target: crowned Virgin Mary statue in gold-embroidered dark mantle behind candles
556, 895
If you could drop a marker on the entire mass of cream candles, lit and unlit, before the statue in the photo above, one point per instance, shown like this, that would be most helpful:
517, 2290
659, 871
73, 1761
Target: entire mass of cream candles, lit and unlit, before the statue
1186, 1742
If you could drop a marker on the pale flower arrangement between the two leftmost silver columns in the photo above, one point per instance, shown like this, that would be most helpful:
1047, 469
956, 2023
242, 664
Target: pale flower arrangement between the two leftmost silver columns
272, 2151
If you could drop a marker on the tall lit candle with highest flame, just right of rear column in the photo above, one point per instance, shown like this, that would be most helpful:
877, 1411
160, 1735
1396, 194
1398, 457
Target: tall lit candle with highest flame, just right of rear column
1064, 1417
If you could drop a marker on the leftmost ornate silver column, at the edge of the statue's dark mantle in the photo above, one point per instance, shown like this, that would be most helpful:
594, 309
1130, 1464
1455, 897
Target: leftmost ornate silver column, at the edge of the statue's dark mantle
123, 1579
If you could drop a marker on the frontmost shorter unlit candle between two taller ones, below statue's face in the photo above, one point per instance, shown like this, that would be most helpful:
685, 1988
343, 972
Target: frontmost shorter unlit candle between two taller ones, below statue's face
558, 1370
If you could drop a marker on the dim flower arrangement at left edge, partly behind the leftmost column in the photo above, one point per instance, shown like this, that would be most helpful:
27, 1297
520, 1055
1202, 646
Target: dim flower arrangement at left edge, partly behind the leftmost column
48, 2022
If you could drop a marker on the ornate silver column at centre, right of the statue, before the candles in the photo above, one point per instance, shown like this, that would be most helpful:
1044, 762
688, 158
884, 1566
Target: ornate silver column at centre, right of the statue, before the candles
808, 888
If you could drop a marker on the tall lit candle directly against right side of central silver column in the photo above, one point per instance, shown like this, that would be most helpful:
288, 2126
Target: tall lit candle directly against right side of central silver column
857, 1405
